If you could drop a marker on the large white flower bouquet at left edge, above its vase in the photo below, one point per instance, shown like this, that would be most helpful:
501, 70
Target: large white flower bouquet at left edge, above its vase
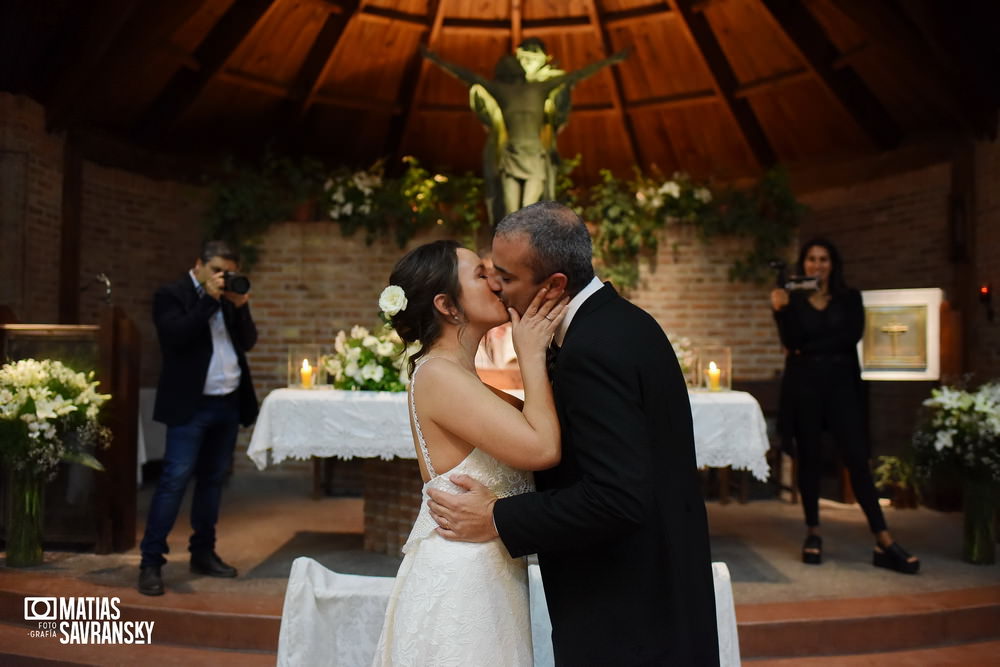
48, 414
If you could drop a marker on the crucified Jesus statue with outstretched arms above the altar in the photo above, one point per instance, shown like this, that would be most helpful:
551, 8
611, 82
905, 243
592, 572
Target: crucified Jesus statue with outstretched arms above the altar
522, 114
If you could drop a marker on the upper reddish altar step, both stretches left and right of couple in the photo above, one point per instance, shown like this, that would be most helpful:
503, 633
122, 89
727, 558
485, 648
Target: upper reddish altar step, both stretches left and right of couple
839, 627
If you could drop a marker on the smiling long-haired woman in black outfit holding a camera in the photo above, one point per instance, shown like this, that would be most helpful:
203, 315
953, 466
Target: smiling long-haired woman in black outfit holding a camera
822, 389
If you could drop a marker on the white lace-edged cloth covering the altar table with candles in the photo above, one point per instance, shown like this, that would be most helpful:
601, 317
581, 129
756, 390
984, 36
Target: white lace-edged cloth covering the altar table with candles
729, 428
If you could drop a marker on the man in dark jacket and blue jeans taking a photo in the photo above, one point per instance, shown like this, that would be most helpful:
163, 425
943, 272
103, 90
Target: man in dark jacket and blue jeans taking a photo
204, 394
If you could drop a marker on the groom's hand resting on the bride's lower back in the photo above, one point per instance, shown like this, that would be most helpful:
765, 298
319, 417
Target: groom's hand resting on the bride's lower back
466, 517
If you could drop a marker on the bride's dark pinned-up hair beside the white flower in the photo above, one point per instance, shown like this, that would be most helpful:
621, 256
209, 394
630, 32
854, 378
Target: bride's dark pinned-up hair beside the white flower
423, 273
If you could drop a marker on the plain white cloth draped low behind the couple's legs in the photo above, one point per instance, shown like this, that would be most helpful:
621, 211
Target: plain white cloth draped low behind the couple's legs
334, 620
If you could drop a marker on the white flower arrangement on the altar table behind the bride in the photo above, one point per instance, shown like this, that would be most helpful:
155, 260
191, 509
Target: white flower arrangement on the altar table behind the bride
368, 361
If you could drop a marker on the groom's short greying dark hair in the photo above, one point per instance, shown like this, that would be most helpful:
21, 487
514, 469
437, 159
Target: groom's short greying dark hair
559, 239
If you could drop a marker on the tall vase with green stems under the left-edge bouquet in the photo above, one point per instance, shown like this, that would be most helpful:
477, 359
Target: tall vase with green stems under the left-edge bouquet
25, 518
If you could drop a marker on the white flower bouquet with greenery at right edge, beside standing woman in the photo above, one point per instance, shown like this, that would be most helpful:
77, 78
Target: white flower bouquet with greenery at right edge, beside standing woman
962, 428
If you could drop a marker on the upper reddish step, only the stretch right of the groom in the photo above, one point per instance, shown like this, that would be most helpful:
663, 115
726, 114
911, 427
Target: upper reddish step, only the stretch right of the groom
868, 625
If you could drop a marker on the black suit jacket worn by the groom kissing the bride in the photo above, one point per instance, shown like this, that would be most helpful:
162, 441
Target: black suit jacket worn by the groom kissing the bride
619, 525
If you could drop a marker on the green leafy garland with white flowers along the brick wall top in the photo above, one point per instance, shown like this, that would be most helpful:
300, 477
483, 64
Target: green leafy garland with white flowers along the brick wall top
625, 216
